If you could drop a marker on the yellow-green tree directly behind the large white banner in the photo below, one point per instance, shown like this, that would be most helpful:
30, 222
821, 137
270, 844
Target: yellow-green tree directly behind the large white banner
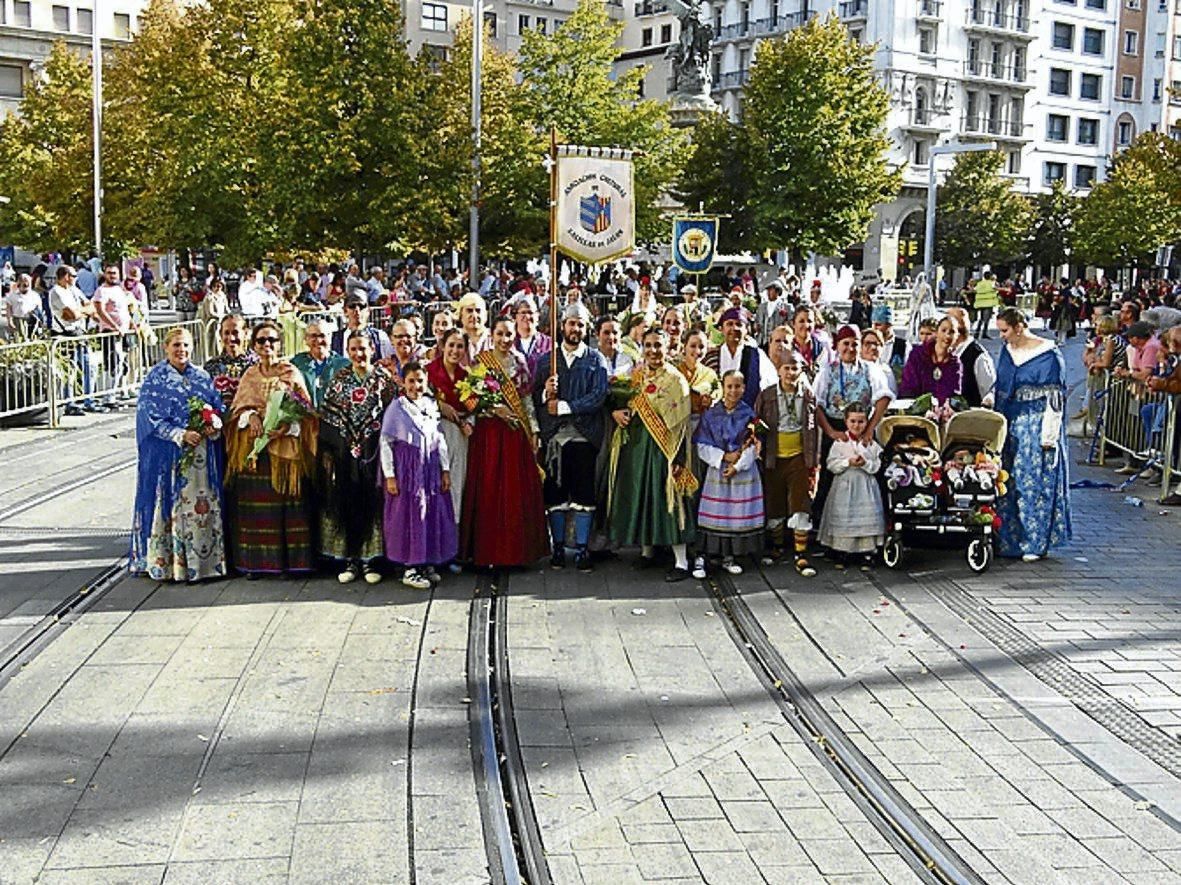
567, 83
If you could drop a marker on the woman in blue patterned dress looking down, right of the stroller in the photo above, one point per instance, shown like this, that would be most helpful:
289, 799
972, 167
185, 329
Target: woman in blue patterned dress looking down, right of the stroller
1032, 394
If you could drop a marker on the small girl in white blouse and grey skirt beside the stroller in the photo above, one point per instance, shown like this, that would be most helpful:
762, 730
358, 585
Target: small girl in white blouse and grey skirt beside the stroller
853, 520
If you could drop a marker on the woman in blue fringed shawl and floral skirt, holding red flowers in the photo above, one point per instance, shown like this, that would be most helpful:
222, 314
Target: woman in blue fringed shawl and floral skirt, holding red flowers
178, 531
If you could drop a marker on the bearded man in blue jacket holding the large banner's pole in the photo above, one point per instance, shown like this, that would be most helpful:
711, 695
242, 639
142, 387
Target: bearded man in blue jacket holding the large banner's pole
572, 431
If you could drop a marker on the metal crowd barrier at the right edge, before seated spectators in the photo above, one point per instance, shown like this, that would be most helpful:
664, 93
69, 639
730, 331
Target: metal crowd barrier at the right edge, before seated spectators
1139, 422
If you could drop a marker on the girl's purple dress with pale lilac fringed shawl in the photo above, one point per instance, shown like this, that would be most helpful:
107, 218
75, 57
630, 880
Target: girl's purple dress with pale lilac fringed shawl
420, 520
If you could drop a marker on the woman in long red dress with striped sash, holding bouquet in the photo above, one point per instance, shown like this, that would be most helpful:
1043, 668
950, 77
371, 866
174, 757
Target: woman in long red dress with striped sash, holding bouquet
504, 522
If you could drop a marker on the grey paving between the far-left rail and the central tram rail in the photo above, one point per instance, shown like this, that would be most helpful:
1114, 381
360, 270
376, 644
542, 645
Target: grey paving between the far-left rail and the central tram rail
243, 732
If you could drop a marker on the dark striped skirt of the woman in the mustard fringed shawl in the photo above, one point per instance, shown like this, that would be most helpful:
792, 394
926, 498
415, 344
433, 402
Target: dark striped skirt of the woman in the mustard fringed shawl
271, 533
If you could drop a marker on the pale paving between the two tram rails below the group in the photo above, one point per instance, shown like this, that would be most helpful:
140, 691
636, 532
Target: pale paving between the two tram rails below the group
654, 753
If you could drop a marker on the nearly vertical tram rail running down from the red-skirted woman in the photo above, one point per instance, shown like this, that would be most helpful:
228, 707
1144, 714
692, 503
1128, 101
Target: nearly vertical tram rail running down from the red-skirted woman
512, 836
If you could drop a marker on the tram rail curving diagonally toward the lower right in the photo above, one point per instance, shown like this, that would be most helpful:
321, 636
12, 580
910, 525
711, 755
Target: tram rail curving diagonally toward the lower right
925, 851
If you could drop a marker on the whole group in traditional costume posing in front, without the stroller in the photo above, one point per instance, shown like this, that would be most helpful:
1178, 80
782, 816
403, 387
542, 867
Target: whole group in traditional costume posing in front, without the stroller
704, 439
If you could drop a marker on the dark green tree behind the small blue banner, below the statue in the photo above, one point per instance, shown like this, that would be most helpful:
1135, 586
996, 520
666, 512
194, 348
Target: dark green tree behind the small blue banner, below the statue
717, 178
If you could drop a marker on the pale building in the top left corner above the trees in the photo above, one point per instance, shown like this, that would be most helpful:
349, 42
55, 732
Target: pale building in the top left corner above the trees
30, 28
